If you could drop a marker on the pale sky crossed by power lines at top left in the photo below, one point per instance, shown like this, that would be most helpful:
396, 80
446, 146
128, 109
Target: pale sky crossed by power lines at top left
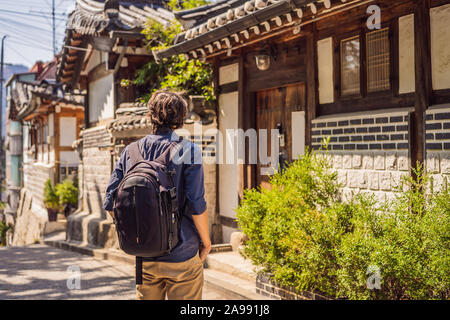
28, 24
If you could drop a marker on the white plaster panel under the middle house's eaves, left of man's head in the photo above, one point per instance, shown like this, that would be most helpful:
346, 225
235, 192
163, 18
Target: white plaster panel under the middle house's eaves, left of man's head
101, 99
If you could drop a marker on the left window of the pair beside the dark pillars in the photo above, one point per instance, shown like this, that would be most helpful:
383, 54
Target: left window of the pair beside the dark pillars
351, 66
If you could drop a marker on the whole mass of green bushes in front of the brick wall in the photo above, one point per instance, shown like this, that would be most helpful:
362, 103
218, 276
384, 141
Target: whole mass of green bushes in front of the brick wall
305, 237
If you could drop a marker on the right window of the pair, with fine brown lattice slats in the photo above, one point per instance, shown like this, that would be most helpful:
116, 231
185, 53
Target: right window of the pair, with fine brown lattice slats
378, 60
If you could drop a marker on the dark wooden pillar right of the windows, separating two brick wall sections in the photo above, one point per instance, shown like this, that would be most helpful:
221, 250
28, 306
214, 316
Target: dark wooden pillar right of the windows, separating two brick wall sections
423, 79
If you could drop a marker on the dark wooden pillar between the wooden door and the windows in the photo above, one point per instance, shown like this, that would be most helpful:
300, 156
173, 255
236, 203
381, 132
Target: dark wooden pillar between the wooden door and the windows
311, 80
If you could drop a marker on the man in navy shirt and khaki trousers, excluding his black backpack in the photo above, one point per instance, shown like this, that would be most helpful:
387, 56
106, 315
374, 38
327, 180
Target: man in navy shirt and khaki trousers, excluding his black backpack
179, 275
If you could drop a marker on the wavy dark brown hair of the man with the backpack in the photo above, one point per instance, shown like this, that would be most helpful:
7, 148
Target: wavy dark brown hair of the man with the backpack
167, 110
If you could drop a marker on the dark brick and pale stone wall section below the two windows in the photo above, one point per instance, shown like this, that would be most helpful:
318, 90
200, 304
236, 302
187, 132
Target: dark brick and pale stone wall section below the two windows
368, 150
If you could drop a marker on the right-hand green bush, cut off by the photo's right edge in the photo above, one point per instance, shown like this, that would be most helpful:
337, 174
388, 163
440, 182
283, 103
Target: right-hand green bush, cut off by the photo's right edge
408, 240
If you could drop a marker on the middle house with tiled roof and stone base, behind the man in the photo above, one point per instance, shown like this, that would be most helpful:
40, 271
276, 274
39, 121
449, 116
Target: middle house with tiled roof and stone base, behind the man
103, 46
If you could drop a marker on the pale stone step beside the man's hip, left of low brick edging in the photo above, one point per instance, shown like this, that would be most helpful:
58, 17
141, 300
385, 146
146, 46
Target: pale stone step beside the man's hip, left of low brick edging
235, 287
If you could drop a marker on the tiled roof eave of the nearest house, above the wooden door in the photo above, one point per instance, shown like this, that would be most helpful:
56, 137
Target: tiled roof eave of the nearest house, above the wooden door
227, 23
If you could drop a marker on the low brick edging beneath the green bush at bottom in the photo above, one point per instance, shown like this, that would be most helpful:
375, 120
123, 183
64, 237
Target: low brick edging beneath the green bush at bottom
269, 288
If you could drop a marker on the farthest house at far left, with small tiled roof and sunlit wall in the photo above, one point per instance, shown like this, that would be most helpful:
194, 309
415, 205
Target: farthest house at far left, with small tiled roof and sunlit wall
43, 123
